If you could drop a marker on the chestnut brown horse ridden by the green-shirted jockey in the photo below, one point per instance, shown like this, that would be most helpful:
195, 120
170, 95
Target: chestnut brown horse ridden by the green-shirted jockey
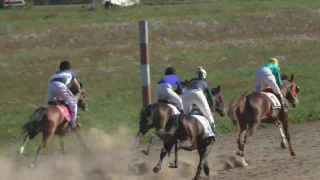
255, 108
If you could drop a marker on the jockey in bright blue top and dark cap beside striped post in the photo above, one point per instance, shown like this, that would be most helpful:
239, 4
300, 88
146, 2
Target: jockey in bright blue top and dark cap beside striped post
164, 87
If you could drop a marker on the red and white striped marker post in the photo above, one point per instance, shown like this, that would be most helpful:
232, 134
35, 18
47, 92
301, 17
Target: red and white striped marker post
144, 56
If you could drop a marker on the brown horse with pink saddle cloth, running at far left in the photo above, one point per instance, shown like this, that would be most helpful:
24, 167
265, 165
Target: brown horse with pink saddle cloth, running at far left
49, 121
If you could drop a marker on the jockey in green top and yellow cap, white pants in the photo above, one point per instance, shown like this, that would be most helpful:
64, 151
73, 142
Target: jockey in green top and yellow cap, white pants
269, 74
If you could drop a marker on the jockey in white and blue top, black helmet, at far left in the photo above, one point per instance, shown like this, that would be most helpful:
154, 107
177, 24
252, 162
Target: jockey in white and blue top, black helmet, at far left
57, 87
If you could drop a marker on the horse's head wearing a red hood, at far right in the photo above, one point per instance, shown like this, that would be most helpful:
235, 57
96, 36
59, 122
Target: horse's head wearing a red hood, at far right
290, 90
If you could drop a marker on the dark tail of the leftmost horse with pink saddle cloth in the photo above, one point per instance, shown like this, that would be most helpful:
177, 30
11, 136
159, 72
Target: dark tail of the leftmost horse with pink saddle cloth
34, 125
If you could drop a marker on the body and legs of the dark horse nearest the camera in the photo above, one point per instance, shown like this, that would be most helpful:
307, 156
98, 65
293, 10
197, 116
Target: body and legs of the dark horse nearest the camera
184, 127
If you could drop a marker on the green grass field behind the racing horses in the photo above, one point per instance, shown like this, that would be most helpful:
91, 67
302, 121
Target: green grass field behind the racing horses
229, 38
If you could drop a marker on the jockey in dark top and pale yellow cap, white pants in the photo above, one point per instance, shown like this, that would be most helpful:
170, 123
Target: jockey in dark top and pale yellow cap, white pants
195, 94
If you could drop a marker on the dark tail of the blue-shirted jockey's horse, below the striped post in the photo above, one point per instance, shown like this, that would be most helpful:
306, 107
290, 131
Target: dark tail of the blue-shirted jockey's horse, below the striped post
147, 116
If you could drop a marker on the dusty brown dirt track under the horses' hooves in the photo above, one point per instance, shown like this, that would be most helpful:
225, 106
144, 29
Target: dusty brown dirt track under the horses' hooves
115, 159
